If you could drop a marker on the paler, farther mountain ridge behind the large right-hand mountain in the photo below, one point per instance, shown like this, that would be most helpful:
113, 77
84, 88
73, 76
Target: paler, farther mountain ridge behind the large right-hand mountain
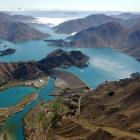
77, 25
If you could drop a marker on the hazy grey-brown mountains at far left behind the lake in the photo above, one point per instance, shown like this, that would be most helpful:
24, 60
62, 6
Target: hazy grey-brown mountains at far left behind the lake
13, 29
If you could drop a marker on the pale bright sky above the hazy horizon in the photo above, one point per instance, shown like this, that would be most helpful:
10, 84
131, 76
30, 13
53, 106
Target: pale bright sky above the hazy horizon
95, 5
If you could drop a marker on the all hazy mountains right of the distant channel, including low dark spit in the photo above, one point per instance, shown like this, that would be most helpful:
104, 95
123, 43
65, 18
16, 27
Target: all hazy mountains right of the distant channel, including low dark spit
116, 34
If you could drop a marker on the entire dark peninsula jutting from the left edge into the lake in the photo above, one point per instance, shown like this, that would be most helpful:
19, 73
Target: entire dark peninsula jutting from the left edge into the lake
29, 72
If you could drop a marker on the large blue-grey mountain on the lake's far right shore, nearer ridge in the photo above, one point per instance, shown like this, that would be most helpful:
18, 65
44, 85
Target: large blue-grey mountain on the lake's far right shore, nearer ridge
111, 35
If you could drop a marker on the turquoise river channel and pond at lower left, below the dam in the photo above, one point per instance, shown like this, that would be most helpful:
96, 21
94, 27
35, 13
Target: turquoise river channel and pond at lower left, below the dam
14, 125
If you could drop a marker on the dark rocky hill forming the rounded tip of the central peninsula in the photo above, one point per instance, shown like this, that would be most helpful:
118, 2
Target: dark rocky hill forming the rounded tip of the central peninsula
60, 58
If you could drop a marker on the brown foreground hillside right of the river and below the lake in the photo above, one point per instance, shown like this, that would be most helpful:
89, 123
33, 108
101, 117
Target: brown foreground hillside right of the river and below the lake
100, 109
